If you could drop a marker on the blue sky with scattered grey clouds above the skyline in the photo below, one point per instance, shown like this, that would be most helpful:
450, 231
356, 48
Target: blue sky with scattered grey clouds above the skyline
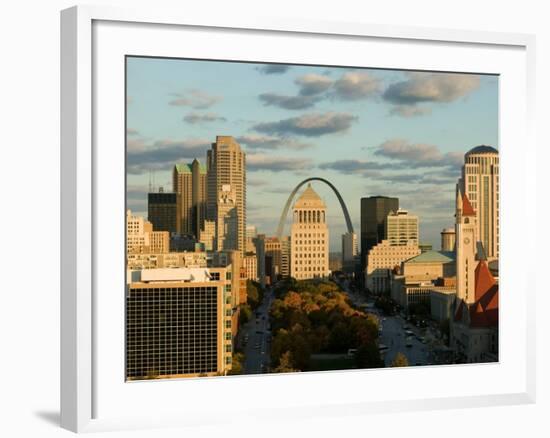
368, 131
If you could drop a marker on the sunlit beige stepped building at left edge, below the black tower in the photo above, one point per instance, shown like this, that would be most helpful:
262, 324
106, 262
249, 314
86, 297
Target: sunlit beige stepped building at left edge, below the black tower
141, 238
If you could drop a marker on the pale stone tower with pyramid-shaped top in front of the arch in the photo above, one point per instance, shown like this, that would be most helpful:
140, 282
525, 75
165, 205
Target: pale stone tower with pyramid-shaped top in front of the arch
309, 237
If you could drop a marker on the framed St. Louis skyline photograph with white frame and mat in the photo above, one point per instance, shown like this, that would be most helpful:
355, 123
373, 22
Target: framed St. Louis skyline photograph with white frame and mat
268, 207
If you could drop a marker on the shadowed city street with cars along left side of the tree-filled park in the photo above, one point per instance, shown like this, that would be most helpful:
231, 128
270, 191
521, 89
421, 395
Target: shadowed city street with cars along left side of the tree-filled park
256, 337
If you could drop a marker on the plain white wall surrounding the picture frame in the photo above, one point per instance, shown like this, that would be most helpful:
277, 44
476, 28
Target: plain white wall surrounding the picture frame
29, 215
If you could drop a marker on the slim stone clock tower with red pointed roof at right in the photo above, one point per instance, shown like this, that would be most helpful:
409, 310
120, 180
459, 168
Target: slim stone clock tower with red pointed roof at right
465, 249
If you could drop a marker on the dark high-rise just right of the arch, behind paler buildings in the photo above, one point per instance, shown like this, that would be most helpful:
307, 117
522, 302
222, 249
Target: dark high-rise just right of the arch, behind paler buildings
374, 211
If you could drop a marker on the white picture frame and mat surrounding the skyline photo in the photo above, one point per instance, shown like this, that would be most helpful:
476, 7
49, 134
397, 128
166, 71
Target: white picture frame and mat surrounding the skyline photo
84, 371
